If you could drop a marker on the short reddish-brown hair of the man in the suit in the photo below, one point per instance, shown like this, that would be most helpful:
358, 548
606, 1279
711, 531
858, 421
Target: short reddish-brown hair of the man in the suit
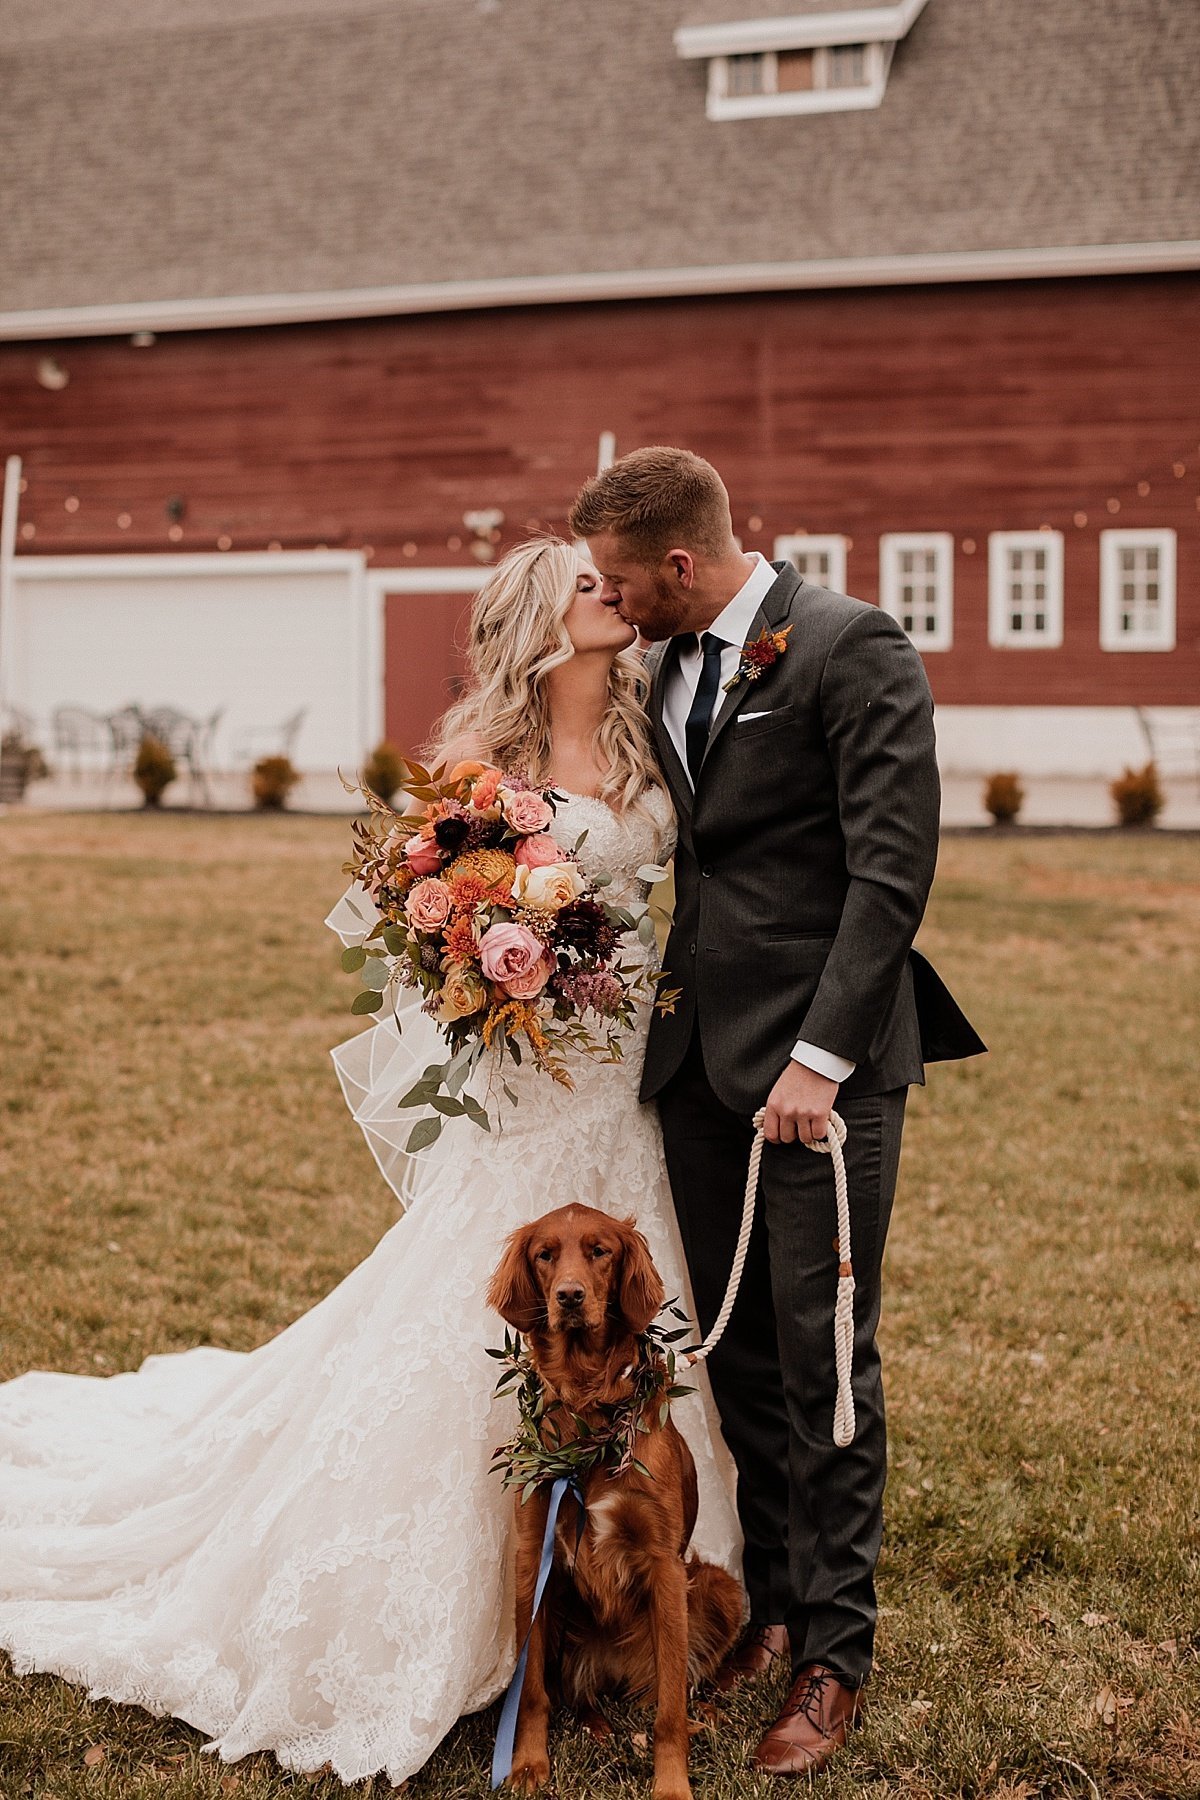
658, 499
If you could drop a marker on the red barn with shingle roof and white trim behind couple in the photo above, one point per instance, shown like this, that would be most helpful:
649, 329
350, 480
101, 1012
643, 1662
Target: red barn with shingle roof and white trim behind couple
309, 309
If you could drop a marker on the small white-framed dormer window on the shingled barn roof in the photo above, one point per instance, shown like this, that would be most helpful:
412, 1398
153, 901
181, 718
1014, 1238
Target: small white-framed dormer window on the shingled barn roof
793, 62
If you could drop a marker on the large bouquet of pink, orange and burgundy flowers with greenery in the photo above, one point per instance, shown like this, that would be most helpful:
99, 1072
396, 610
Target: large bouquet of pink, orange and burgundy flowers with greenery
496, 922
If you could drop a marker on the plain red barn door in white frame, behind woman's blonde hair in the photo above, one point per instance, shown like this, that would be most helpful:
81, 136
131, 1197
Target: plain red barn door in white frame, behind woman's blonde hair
424, 663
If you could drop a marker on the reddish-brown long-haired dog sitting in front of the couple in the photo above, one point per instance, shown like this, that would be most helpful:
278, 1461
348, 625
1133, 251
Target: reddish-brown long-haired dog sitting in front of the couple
631, 1612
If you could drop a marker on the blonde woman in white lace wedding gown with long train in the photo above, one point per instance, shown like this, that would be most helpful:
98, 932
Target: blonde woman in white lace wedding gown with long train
301, 1549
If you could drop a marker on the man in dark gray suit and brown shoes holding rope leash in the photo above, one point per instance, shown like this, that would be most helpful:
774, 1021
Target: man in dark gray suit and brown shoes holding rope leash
809, 802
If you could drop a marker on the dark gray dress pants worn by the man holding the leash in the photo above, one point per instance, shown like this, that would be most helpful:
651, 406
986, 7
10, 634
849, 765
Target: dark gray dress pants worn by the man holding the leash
810, 1513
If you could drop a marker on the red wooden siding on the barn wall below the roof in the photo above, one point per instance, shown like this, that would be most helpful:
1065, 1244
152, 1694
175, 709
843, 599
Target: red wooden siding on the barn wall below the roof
958, 409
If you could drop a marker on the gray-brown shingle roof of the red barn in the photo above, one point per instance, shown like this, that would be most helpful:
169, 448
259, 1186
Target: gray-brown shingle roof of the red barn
287, 147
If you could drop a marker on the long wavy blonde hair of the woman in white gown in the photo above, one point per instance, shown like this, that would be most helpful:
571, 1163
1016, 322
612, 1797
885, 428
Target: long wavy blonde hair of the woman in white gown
517, 636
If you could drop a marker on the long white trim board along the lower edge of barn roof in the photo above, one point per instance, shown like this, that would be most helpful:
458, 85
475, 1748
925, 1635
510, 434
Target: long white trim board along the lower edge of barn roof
620, 285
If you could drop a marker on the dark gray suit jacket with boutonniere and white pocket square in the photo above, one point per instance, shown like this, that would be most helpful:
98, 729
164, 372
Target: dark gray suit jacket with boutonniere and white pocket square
805, 861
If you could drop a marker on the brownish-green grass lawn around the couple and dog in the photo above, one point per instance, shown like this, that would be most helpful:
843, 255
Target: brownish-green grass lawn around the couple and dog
177, 1169
